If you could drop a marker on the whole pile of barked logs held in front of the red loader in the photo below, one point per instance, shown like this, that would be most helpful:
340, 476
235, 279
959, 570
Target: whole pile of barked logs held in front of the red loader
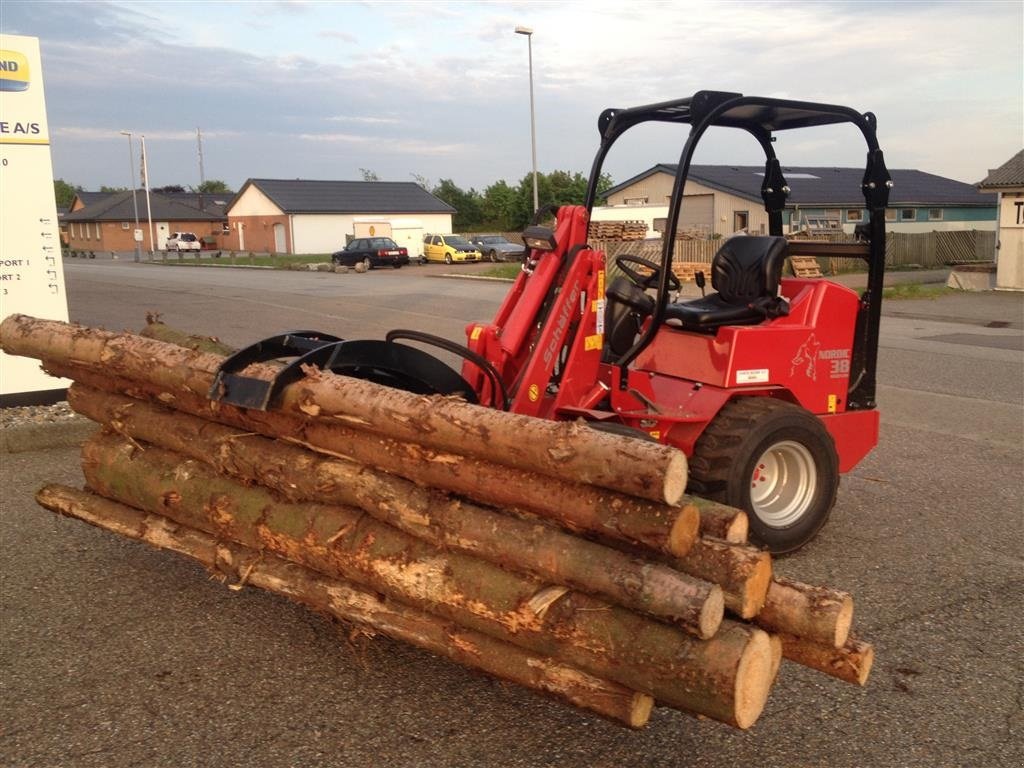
565, 560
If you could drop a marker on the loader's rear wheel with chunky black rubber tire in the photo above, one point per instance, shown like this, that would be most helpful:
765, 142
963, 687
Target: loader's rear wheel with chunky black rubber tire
727, 456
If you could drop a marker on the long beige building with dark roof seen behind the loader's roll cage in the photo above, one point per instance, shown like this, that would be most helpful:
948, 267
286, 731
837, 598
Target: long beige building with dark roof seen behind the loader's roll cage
721, 200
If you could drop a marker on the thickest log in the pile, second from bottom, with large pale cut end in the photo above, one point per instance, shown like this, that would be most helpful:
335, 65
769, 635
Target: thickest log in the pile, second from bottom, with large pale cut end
728, 677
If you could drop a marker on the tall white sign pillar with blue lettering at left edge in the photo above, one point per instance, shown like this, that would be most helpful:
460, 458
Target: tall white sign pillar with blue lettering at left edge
31, 270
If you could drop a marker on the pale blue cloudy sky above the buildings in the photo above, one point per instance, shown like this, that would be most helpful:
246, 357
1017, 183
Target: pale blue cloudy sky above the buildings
441, 91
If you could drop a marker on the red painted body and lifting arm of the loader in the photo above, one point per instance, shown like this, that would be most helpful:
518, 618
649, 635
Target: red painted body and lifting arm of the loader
547, 343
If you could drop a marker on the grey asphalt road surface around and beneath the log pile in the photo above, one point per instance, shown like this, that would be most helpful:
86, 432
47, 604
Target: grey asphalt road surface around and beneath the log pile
114, 655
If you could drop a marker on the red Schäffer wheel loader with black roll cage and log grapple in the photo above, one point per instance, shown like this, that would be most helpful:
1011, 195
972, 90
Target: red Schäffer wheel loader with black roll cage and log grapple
767, 383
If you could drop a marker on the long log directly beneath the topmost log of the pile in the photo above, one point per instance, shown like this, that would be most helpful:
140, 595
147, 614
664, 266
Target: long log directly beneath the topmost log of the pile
578, 507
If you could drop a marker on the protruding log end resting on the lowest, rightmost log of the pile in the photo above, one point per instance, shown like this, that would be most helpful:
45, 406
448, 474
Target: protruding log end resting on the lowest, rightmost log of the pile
820, 615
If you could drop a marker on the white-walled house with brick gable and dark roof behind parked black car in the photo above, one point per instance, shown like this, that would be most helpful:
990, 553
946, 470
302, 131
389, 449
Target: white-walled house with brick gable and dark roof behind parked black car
317, 217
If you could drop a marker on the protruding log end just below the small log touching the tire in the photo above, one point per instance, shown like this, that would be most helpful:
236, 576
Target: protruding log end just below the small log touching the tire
743, 573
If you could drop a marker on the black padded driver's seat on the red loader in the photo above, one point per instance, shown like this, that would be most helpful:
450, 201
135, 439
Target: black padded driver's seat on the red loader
746, 272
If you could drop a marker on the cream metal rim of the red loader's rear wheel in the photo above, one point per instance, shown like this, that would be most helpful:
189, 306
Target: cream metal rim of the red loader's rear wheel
783, 484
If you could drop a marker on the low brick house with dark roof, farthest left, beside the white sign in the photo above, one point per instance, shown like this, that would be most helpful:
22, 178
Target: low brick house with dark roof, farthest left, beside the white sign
106, 222
